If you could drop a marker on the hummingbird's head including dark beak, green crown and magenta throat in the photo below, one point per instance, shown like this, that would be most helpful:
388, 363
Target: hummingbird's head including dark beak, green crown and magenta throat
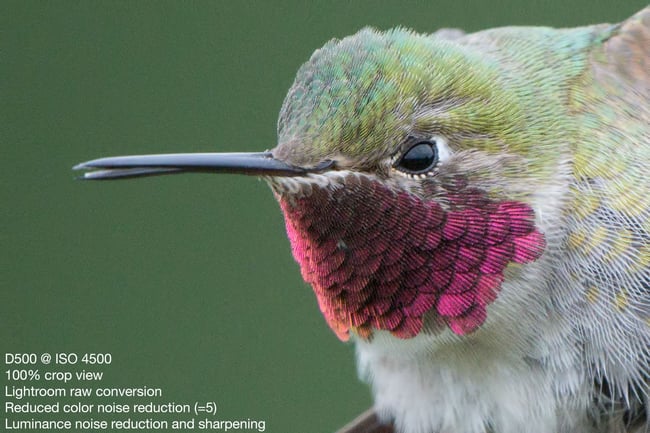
406, 172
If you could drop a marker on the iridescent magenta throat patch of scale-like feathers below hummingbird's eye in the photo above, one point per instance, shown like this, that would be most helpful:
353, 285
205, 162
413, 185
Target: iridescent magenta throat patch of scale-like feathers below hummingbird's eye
382, 259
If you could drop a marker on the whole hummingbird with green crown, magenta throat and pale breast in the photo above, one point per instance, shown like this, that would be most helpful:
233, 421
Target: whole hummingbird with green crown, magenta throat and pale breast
472, 211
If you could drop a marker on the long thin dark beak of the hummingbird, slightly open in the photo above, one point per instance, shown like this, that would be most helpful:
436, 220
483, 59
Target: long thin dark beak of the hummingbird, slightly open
253, 164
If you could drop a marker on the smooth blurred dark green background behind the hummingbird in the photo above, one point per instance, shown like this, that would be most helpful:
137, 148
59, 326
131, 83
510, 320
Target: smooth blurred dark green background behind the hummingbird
188, 281
